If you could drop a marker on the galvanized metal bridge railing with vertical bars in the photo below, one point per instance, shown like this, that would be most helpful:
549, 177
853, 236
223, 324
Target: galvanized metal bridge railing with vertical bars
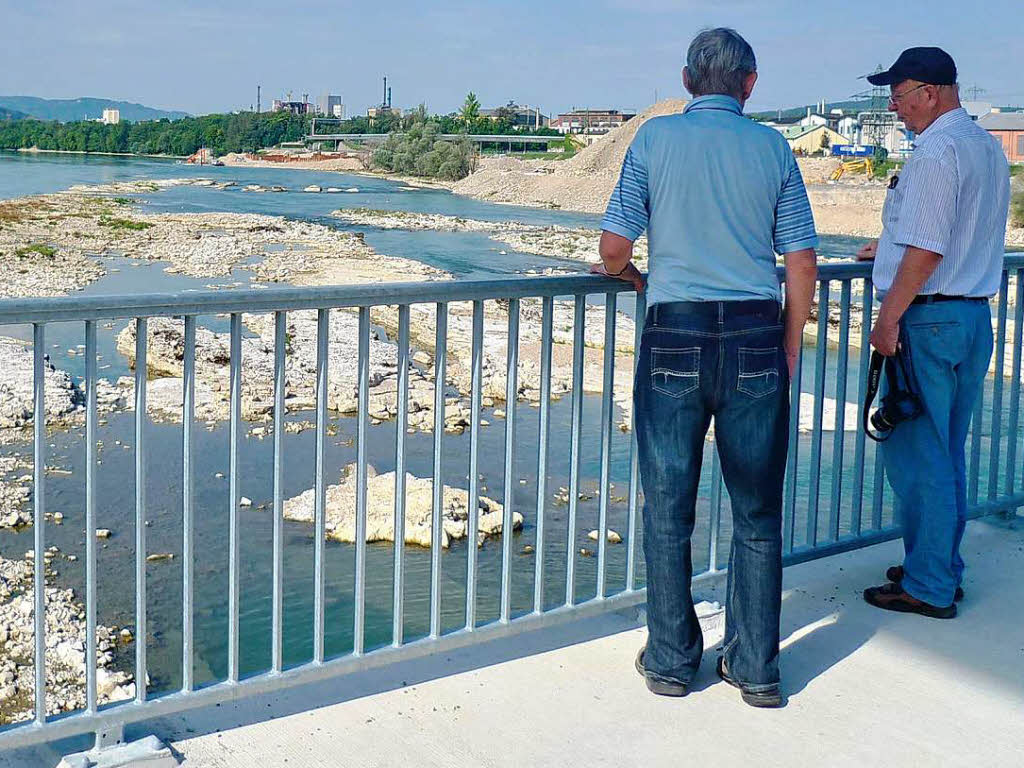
856, 515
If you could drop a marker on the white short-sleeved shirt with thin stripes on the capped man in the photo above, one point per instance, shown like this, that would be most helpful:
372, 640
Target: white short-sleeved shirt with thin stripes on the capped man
952, 198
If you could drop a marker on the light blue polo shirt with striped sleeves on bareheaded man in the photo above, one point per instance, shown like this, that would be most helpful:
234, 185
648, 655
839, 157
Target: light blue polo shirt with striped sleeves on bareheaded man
719, 196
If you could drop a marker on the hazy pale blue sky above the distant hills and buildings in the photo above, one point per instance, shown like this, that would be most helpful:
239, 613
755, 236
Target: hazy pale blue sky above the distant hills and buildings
208, 57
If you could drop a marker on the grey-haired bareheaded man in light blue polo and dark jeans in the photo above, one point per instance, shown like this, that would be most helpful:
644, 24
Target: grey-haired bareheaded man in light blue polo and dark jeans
719, 197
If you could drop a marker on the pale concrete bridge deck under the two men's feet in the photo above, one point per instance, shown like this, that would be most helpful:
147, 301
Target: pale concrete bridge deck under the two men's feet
864, 687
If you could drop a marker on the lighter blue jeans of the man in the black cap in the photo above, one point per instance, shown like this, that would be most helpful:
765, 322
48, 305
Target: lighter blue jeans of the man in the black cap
950, 345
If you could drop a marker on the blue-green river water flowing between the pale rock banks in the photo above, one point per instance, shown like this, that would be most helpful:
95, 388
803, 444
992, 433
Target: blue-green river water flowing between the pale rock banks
464, 254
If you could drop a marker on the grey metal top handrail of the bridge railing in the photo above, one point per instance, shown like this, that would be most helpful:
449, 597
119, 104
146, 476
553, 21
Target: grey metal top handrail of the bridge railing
61, 309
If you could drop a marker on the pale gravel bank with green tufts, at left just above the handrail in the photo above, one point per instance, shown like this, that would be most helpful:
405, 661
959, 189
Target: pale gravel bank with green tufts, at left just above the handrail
53, 242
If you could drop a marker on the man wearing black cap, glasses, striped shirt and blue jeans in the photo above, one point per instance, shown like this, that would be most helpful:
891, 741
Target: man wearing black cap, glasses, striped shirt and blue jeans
937, 264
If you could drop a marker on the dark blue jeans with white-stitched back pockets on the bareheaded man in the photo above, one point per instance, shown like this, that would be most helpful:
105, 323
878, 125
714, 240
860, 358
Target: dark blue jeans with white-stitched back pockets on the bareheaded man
727, 360
